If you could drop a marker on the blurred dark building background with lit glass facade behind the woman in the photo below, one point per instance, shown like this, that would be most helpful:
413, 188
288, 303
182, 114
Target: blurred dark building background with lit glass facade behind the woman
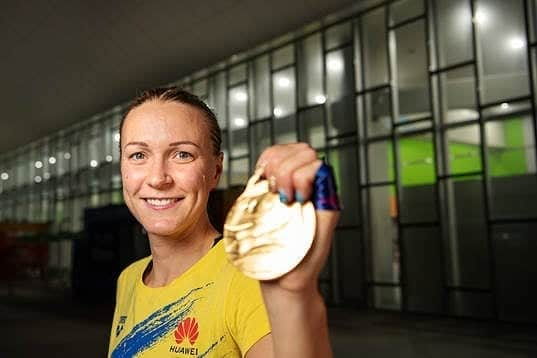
426, 109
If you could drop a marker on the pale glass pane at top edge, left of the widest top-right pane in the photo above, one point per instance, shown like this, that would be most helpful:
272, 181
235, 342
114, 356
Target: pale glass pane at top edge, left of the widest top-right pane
454, 31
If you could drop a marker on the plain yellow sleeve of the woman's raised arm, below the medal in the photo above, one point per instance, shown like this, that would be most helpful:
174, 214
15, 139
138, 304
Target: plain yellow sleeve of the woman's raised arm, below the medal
246, 314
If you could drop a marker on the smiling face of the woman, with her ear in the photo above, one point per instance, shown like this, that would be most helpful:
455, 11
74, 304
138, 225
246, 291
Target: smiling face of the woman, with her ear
168, 166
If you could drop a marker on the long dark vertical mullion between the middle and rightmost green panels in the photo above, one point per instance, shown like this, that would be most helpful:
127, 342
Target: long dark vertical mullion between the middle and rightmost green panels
484, 163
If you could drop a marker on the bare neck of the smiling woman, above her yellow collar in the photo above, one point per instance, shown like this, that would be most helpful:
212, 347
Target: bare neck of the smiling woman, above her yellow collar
172, 256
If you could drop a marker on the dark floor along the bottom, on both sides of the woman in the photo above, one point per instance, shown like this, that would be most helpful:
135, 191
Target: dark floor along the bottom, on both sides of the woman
52, 327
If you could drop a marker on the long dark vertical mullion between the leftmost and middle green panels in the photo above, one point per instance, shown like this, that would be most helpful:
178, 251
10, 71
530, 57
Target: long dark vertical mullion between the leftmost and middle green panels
433, 108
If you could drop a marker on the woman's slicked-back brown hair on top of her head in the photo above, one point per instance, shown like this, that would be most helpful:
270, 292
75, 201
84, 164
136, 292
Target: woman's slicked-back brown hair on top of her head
175, 94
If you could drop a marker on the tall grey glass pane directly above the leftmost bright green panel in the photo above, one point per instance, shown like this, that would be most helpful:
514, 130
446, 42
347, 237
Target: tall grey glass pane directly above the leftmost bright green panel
412, 75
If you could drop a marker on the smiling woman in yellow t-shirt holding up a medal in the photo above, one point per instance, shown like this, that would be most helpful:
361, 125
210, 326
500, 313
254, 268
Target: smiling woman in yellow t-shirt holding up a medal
186, 298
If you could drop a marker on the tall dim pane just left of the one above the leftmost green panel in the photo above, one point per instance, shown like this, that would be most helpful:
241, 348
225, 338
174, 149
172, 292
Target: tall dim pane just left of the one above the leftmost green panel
374, 48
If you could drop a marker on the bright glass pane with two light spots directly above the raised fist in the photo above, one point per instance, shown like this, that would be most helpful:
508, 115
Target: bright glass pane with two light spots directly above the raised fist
284, 88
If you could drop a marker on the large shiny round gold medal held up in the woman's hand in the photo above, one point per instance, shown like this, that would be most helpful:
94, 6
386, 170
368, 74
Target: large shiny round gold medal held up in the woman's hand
264, 238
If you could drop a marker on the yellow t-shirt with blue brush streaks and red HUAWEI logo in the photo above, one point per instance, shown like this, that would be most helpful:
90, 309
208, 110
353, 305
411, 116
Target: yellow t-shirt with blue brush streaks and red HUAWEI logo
211, 310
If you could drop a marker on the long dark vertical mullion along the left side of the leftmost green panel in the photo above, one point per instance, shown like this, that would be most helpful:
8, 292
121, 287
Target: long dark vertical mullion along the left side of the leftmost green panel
394, 109
